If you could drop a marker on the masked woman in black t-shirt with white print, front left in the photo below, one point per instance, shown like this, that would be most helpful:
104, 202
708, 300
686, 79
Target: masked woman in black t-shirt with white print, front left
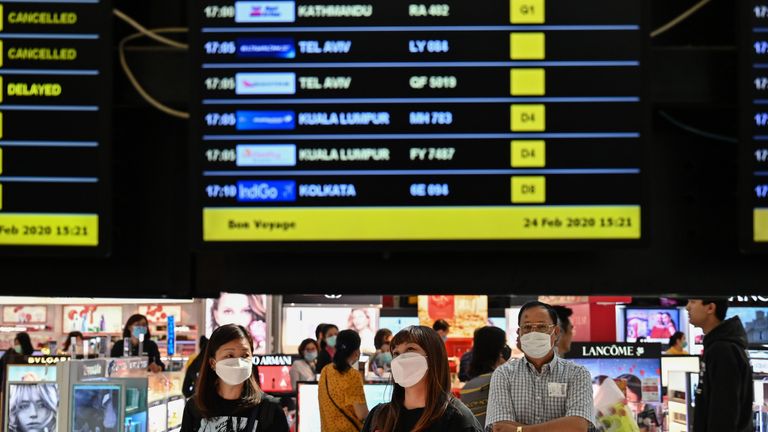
228, 396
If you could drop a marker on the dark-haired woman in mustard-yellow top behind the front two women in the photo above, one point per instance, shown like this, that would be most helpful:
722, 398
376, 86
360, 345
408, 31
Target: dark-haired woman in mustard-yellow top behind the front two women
342, 400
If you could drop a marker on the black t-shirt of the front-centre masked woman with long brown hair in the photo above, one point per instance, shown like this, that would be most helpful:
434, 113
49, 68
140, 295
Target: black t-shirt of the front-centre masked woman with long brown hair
457, 418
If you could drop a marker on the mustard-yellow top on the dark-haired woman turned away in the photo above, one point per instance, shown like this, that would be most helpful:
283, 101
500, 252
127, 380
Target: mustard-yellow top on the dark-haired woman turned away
346, 389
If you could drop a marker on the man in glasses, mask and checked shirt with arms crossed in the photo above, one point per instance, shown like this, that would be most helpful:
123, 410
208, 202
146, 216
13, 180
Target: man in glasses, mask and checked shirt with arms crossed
539, 392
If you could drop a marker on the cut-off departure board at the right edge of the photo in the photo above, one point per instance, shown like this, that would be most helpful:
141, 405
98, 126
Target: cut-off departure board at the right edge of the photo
754, 118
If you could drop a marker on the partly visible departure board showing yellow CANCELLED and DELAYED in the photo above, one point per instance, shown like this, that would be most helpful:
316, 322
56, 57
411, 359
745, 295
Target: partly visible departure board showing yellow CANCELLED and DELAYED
55, 62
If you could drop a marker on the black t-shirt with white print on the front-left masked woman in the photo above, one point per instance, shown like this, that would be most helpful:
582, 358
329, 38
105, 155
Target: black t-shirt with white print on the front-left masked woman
230, 416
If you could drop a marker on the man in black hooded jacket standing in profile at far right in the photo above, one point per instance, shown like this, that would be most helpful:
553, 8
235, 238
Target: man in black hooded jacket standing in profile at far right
725, 393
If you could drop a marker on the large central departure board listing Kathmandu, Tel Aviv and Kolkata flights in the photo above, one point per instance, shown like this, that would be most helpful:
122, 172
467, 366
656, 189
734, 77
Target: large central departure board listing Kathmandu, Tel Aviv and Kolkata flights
389, 120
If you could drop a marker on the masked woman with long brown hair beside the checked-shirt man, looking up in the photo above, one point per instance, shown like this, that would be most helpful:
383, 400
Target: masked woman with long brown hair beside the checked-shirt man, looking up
421, 397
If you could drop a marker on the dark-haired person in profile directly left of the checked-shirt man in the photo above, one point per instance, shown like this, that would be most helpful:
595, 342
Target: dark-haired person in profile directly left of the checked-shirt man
489, 351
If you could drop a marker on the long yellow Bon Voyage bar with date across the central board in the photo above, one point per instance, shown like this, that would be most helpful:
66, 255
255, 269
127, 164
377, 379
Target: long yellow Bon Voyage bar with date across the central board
425, 223
